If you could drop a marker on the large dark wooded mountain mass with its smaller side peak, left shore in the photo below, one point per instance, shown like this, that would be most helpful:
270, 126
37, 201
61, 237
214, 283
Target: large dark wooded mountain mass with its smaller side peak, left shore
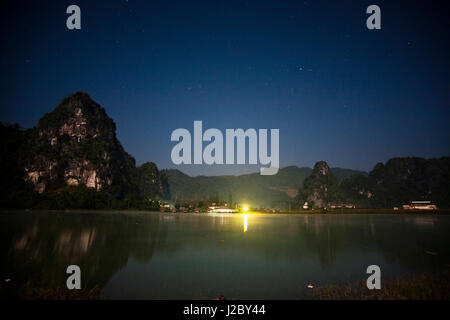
73, 159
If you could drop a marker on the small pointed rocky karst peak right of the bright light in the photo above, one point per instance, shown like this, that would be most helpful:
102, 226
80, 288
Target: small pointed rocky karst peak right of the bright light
320, 188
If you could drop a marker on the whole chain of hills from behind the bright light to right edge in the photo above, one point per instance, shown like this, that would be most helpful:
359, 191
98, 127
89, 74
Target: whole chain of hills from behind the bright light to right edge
399, 181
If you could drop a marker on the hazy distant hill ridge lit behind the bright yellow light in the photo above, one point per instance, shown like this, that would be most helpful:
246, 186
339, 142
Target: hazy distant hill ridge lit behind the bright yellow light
249, 188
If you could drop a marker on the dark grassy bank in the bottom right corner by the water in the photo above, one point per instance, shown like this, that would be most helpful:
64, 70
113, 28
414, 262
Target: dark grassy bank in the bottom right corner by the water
422, 287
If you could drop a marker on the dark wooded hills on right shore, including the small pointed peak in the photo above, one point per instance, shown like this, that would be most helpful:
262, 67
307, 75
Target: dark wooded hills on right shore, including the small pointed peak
398, 182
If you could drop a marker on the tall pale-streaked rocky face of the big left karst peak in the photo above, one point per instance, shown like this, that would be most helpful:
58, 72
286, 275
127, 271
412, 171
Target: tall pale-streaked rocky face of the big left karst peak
76, 145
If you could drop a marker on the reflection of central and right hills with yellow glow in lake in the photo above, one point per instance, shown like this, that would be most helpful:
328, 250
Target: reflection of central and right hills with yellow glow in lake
399, 239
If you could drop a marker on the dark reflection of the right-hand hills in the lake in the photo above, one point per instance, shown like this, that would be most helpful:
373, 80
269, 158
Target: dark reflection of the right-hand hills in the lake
402, 240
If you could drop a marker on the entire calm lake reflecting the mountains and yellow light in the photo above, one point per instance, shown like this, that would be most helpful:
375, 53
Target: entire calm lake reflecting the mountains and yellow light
151, 255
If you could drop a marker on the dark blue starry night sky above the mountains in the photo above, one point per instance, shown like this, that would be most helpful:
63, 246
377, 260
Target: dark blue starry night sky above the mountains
337, 91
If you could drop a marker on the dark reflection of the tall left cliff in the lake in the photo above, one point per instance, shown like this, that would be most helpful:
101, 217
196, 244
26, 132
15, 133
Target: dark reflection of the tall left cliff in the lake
40, 247
